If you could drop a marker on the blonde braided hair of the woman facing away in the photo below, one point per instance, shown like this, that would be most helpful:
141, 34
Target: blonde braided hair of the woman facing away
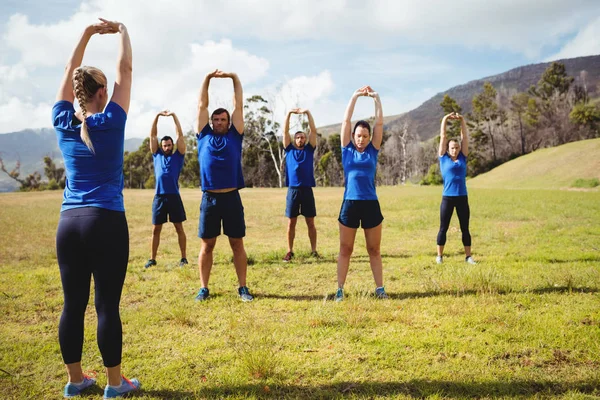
86, 82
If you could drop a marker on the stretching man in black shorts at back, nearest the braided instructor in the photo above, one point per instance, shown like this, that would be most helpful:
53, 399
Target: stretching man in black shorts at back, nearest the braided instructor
167, 200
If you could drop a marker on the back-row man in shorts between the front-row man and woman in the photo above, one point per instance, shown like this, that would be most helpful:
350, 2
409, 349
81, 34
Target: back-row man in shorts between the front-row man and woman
300, 179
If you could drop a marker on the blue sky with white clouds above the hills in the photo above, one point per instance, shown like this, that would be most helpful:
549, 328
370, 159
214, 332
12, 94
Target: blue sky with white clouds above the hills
307, 53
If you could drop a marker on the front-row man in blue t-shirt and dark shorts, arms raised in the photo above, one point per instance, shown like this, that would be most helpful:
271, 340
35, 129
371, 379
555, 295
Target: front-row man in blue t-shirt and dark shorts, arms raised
220, 160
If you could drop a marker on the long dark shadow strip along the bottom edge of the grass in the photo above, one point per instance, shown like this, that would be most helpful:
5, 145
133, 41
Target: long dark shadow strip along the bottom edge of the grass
416, 388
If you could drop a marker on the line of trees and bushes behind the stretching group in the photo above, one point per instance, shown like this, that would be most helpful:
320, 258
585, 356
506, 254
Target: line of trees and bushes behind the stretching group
502, 125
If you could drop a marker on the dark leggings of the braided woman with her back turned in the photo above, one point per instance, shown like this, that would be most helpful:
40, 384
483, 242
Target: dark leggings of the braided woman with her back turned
92, 241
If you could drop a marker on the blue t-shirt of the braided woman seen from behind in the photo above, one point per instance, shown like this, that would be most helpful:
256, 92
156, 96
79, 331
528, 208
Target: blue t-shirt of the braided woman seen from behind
93, 180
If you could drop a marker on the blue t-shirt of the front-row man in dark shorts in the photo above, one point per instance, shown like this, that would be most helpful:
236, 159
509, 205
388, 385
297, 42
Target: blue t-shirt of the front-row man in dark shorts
220, 159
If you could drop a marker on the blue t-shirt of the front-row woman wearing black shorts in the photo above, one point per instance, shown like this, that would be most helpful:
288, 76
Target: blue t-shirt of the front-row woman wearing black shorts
359, 172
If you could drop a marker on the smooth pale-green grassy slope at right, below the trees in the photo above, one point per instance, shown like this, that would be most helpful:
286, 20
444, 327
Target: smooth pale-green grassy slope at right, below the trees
549, 168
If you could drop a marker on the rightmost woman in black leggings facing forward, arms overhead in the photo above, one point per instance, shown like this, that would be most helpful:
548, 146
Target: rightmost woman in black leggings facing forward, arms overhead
453, 165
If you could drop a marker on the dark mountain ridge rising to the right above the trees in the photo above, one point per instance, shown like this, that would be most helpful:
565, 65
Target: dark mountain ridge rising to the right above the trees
426, 118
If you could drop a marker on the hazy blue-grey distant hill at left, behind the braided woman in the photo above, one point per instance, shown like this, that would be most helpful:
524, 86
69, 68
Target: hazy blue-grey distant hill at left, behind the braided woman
29, 147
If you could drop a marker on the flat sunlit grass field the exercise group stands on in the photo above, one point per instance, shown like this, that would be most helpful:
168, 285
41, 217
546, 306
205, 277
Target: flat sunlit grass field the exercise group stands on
523, 323
